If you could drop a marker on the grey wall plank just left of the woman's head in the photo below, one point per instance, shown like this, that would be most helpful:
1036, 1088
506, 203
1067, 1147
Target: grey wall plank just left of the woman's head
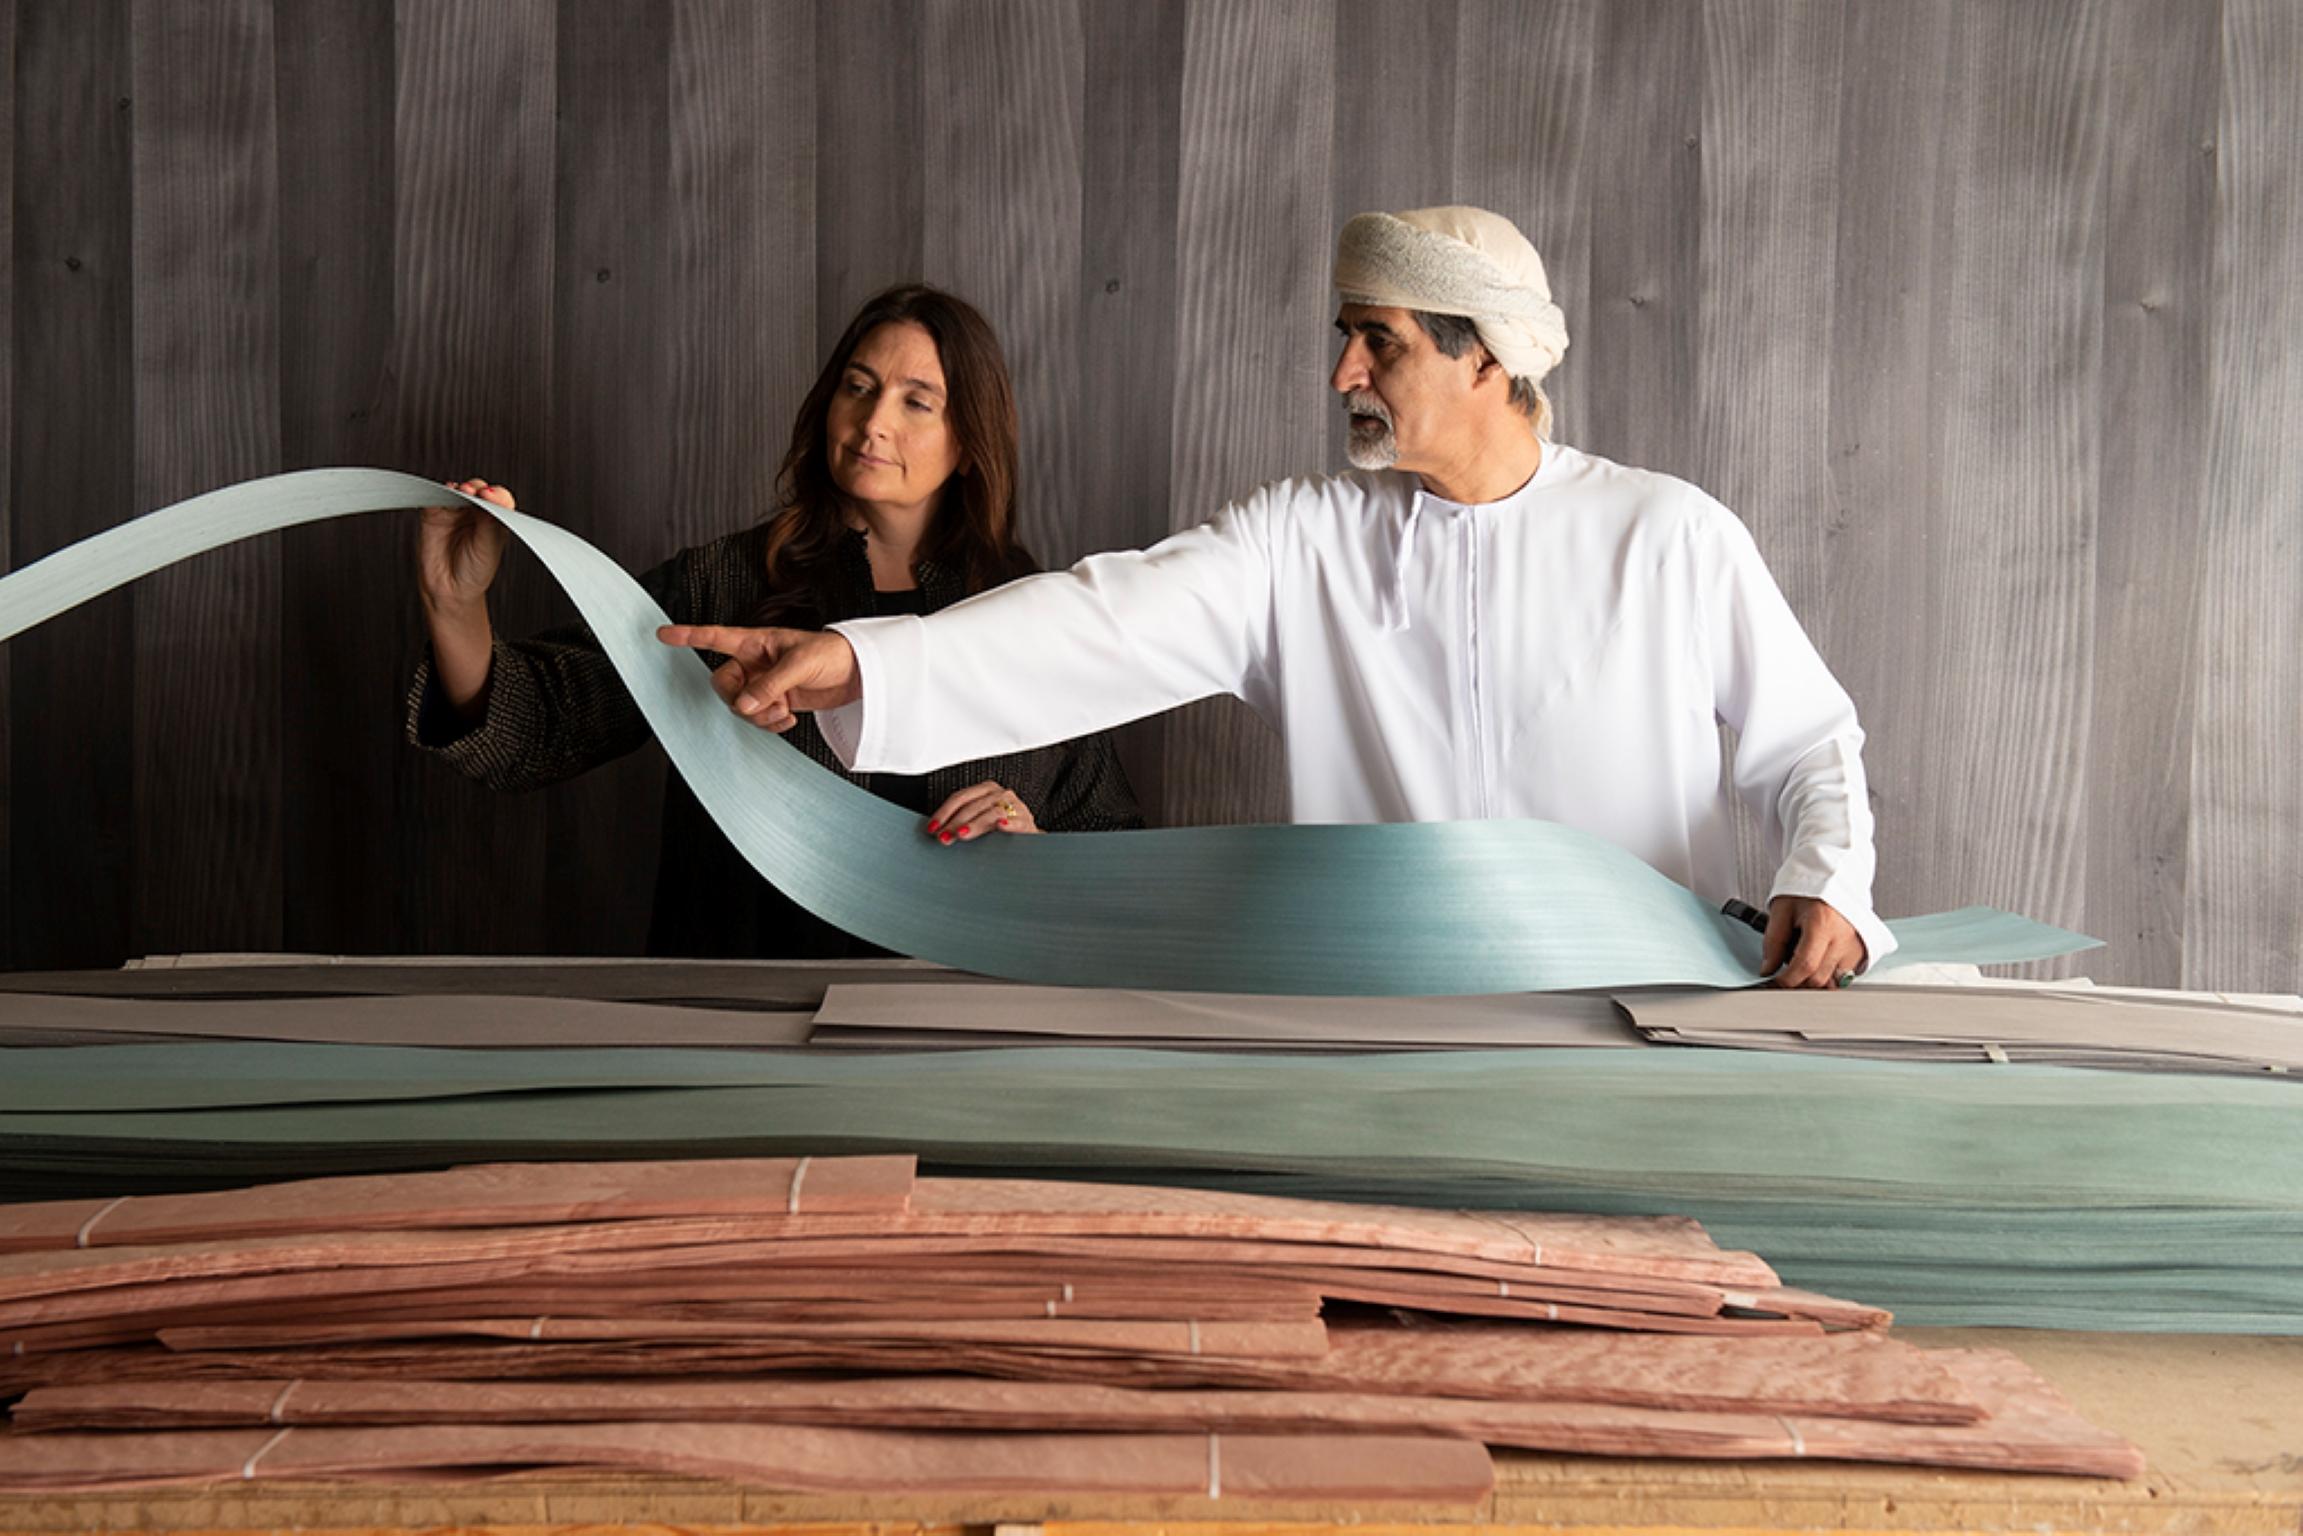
740, 280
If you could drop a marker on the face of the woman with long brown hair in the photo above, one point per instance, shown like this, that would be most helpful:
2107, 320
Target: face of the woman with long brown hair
888, 434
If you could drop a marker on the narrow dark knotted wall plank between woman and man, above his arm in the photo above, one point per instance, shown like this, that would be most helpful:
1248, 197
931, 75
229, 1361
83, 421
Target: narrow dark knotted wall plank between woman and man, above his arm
1125, 418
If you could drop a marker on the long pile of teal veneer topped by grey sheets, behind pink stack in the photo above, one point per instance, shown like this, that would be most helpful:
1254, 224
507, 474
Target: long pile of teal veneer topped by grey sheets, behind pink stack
1952, 1192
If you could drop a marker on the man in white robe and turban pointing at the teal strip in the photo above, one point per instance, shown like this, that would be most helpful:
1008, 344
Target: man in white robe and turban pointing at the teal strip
1477, 623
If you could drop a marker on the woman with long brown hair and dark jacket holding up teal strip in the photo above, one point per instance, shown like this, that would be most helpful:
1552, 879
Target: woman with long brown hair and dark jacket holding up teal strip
897, 496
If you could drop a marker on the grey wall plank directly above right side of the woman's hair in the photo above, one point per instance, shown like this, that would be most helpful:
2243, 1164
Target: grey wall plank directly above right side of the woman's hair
1003, 227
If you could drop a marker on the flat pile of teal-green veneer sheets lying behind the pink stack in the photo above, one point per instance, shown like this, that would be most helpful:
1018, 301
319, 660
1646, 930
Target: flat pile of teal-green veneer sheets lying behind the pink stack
1954, 1194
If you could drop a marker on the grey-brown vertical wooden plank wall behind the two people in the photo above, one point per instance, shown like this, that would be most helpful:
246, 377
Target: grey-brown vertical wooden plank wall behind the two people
1979, 314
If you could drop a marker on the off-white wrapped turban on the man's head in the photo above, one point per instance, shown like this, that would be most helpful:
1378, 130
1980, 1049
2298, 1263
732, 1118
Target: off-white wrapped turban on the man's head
1459, 261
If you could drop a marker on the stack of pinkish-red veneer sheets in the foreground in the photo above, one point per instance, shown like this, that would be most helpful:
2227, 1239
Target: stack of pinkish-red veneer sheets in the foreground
846, 1325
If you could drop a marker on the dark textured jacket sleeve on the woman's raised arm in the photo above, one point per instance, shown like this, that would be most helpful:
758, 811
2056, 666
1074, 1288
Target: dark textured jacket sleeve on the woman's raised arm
556, 704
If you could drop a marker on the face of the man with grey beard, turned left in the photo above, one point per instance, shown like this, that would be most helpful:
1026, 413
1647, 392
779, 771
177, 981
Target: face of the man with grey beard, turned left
1406, 400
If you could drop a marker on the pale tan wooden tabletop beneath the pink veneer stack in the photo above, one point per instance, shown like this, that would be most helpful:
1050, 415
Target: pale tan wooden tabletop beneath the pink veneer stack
2221, 1422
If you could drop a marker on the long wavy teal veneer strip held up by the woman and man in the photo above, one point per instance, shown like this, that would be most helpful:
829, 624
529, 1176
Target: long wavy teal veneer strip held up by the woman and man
1335, 911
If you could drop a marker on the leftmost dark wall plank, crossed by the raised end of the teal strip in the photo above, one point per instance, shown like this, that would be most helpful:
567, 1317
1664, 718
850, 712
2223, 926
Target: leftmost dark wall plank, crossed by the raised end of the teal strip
73, 476
